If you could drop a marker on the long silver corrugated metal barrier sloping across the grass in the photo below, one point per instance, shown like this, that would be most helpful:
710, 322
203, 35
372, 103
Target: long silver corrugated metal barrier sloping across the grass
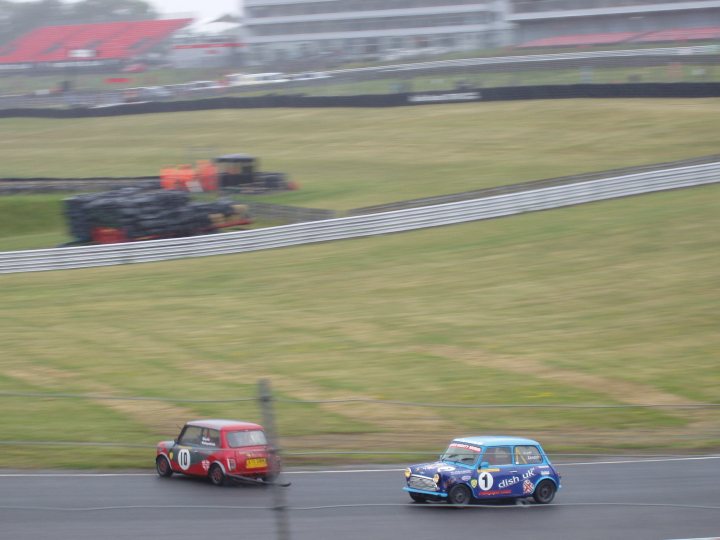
359, 226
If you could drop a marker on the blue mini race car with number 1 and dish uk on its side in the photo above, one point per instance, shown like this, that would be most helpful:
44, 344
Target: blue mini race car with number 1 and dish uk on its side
480, 468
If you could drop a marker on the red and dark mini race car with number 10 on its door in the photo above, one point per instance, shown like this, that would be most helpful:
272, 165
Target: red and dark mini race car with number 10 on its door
218, 449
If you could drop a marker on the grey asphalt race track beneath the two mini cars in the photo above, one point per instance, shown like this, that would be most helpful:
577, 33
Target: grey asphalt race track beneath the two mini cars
633, 499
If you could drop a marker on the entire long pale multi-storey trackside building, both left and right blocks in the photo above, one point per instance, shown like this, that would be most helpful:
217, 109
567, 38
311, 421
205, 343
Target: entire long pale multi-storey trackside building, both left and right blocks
278, 31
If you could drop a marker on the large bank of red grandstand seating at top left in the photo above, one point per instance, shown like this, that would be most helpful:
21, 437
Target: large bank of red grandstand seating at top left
116, 40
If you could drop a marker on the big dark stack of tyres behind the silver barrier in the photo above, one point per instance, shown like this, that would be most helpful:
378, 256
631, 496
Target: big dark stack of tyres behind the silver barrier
142, 213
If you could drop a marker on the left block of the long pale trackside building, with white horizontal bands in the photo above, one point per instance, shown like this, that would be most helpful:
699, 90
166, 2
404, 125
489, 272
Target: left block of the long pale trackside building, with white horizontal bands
292, 30
